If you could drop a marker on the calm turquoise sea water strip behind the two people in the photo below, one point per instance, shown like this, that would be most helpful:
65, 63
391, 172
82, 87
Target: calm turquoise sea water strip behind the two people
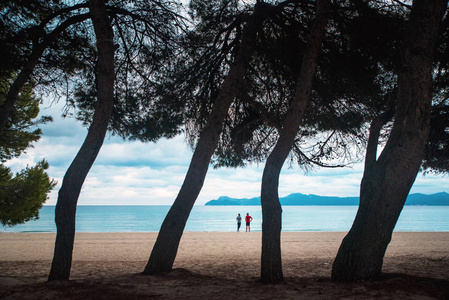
222, 218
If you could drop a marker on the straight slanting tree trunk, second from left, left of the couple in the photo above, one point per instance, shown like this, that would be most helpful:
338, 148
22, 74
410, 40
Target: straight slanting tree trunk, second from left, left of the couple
166, 247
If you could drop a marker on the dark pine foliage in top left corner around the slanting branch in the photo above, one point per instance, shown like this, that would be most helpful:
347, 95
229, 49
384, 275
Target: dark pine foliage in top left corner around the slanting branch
27, 27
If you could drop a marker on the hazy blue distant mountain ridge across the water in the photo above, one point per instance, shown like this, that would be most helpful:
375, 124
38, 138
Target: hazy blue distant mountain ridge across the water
301, 199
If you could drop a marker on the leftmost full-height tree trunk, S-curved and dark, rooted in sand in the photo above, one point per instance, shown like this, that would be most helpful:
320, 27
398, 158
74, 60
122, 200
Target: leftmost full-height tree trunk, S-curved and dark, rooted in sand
78, 170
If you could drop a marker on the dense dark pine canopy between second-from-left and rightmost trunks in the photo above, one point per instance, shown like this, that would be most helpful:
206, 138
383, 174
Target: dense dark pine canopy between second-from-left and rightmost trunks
352, 85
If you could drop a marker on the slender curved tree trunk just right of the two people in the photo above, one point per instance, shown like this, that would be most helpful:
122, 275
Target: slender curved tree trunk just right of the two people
271, 262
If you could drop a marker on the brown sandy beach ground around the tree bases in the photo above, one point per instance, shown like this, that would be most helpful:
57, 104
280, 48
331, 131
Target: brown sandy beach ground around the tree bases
219, 265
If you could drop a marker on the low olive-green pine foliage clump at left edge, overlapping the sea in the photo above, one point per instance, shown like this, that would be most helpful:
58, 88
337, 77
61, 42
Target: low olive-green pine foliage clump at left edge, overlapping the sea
22, 196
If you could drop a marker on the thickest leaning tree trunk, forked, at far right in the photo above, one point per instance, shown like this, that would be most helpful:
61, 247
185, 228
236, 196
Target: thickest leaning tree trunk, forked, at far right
387, 181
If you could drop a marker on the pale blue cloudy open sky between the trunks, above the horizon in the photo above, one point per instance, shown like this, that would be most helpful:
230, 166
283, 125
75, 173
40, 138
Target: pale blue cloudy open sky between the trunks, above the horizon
135, 173
